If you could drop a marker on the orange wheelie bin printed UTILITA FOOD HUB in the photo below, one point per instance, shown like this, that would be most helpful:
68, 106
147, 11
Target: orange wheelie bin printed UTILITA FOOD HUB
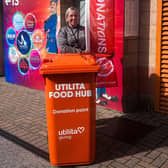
70, 82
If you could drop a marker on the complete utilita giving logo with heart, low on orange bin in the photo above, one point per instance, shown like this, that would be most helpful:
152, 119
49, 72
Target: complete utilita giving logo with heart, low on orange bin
67, 133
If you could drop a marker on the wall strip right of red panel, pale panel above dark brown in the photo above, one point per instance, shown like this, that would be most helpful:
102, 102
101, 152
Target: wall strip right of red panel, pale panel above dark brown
130, 61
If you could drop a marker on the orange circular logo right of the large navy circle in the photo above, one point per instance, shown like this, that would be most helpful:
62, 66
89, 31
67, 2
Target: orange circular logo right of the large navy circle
37, 39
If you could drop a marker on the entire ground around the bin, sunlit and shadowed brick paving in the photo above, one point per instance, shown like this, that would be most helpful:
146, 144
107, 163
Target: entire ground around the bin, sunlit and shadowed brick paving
123, 140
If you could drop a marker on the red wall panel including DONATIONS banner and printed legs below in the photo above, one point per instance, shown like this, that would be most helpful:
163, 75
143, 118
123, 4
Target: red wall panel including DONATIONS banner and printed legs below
105, 39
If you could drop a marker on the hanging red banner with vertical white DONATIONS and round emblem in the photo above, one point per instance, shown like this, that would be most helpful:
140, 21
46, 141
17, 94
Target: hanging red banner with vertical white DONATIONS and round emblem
102, 40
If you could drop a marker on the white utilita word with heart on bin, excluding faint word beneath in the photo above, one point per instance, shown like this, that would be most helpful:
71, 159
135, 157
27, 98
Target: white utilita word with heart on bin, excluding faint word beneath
78, 130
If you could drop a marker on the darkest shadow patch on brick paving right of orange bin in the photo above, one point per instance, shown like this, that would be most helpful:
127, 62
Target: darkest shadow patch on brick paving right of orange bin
123, 129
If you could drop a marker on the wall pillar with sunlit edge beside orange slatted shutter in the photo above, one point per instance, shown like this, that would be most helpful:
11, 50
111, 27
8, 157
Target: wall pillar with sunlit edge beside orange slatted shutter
147, 52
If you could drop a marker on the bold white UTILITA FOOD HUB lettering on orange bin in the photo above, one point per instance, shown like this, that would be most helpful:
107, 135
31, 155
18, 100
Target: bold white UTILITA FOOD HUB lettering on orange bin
69, 90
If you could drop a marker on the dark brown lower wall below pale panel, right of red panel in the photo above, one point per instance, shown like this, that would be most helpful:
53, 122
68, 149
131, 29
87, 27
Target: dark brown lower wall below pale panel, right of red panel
130, 73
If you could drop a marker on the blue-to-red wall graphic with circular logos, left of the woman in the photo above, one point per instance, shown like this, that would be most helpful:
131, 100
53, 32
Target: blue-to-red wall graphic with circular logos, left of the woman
29, 29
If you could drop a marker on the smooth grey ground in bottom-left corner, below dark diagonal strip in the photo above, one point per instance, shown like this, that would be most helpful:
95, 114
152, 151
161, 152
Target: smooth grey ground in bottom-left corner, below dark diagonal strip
15, 156
